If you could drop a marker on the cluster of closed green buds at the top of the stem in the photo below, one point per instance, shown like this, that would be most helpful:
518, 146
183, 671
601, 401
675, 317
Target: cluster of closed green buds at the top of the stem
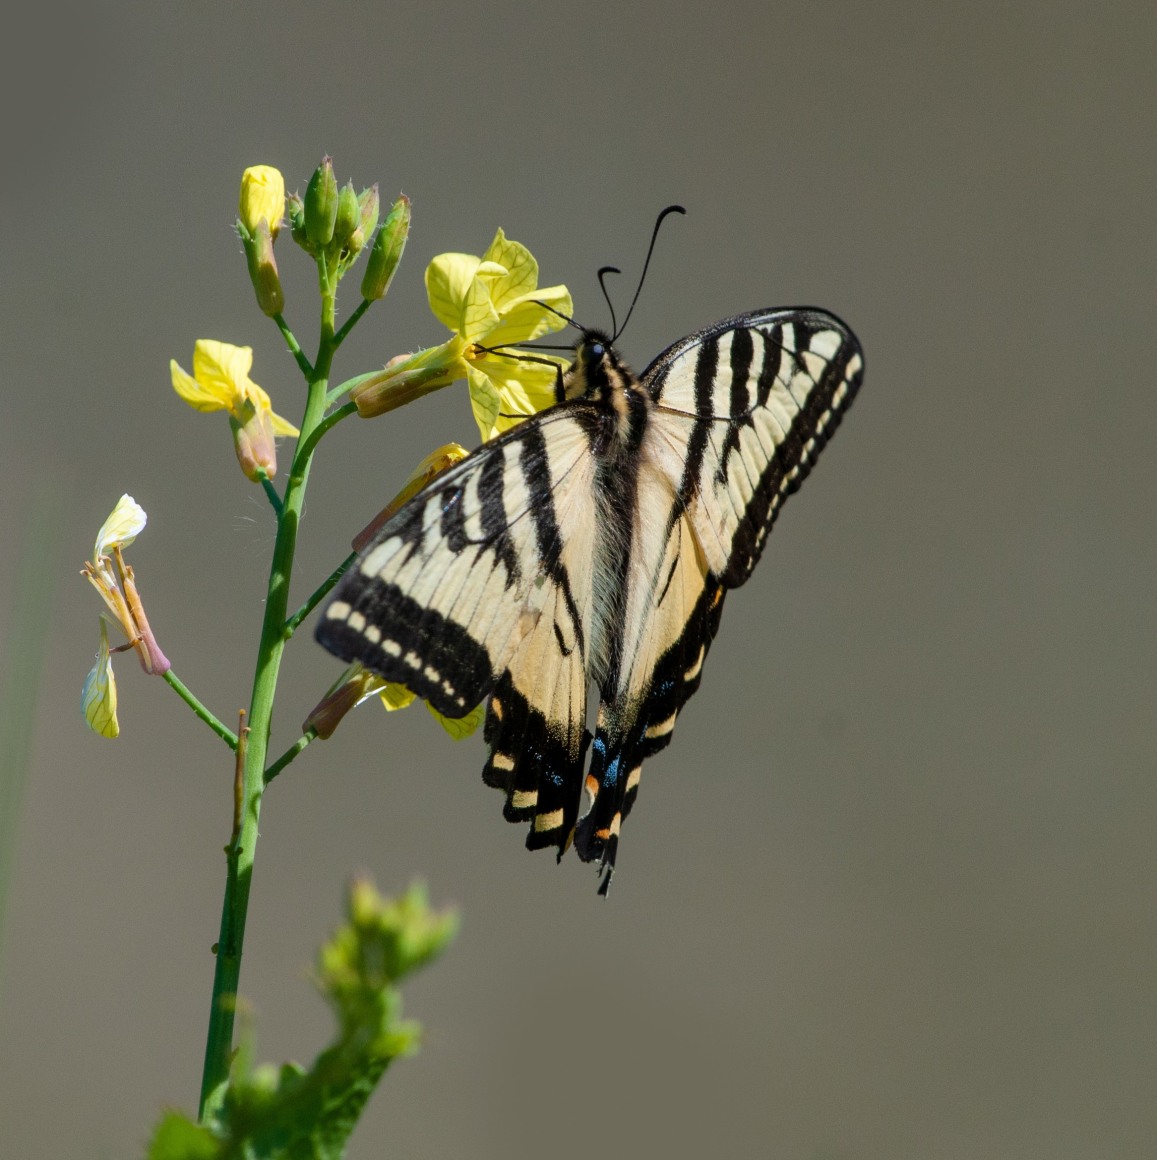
335, 226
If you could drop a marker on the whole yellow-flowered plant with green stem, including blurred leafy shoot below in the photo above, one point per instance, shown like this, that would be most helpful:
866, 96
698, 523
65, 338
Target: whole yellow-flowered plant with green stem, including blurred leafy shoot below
489, 303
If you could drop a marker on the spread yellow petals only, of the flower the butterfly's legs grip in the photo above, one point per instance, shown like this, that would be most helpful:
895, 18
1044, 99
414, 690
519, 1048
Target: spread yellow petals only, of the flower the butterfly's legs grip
491, 302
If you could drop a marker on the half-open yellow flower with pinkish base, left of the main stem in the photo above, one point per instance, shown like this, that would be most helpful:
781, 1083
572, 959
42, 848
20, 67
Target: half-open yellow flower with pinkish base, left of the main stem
221, 382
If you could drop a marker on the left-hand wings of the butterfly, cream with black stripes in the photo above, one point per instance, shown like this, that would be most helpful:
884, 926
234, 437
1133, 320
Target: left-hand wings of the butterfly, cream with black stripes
481, 586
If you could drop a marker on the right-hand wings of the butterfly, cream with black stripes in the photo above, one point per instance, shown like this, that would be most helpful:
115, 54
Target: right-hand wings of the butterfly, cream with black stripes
741, 412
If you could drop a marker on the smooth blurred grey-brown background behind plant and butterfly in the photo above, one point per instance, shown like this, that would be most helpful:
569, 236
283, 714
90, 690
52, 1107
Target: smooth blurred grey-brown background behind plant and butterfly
892, 891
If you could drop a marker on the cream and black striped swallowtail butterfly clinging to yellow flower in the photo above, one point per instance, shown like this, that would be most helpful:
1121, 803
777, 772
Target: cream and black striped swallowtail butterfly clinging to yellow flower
595, 545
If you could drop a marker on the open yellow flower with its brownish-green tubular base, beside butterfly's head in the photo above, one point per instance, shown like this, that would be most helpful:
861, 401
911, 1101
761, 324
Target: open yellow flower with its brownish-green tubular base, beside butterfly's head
489, 302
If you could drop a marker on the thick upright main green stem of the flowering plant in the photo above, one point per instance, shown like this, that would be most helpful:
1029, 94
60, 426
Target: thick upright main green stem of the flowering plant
241, 851
